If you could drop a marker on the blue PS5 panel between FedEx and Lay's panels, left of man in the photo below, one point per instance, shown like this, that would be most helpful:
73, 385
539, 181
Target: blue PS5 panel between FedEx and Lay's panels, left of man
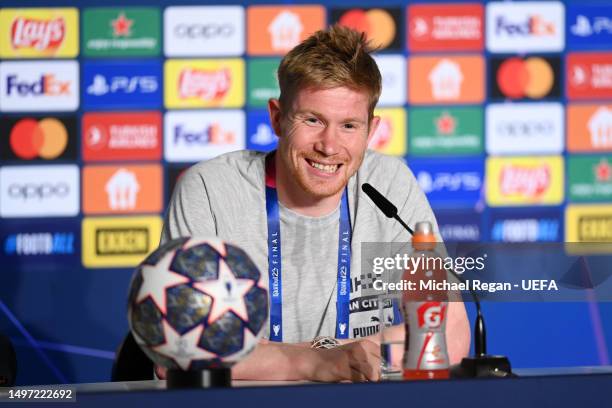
128, 84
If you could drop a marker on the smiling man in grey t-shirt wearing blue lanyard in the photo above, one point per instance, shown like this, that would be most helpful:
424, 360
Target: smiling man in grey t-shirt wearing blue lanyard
302, 205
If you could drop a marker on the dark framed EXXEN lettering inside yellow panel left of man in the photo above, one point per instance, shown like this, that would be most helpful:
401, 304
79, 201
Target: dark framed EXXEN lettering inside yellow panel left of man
122, 241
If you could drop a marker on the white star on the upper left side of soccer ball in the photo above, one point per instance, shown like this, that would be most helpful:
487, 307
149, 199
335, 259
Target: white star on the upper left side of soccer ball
156, 279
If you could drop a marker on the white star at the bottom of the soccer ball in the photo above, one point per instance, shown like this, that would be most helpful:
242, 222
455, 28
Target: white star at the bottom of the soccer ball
183, 349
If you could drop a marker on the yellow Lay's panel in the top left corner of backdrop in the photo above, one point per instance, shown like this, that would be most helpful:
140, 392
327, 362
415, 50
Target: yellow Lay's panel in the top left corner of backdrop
39, 33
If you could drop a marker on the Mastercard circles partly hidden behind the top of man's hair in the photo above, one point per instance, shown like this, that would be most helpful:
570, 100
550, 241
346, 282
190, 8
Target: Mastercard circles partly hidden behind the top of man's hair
378, 25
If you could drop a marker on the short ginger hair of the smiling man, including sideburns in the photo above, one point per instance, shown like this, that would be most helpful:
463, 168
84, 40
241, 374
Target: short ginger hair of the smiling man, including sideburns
328, 59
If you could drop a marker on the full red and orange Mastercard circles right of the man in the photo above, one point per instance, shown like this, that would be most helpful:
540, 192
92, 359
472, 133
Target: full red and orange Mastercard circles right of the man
532, 77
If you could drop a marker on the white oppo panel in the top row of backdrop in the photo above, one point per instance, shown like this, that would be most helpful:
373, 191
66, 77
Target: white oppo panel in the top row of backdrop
204, 31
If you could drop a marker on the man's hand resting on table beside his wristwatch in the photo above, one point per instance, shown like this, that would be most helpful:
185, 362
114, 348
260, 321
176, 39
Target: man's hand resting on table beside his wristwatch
357, 361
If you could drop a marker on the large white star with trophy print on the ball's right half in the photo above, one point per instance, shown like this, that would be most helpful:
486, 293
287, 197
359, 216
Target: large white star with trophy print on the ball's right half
227, 292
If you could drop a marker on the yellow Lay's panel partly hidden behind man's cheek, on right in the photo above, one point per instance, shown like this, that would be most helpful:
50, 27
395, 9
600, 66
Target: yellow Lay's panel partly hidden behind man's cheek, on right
390, 137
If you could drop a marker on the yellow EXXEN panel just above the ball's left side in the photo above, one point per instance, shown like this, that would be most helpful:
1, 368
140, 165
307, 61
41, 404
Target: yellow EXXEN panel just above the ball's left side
118, 242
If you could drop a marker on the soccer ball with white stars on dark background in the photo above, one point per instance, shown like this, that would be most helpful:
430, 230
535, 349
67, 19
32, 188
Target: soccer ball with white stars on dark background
196, 304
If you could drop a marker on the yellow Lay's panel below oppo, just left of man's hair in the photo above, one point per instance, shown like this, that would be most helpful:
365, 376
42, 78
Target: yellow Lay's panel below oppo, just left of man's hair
212, 83
